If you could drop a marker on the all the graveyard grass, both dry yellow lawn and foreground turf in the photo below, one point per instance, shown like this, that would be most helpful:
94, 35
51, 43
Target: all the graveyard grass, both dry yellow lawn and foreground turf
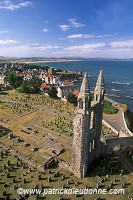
48, 113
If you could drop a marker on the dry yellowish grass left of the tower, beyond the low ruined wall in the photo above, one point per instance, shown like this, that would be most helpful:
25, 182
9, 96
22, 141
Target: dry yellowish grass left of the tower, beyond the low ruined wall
46, 113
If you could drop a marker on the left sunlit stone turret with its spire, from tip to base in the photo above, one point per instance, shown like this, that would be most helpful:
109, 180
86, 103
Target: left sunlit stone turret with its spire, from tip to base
81, 131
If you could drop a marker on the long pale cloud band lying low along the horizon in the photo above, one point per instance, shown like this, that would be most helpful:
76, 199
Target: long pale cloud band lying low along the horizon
88, 50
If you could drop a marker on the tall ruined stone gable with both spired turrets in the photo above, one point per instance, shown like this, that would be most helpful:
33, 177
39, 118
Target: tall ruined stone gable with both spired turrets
87, 127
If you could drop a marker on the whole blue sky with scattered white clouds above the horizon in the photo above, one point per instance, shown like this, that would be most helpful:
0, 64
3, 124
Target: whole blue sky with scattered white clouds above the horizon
66, 28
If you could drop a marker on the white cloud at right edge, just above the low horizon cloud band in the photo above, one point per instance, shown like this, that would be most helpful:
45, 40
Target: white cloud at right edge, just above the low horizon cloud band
122, 43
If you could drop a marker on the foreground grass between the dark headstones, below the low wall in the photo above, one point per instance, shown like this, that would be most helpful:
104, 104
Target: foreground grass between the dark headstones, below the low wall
32, 179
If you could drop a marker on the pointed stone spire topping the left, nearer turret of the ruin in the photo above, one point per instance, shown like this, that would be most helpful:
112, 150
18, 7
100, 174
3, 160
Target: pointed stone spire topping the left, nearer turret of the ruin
85, 90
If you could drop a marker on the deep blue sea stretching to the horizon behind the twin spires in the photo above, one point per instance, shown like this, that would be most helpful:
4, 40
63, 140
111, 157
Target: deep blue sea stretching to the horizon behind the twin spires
118, 75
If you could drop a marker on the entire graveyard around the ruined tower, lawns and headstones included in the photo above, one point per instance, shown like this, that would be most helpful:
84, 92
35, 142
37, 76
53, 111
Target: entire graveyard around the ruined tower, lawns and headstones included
34, 131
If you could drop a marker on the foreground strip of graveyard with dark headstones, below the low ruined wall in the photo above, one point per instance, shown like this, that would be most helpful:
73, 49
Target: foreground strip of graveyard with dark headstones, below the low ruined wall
15, 173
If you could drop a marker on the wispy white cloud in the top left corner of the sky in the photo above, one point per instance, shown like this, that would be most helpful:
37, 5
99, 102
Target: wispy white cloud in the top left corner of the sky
9, 5
